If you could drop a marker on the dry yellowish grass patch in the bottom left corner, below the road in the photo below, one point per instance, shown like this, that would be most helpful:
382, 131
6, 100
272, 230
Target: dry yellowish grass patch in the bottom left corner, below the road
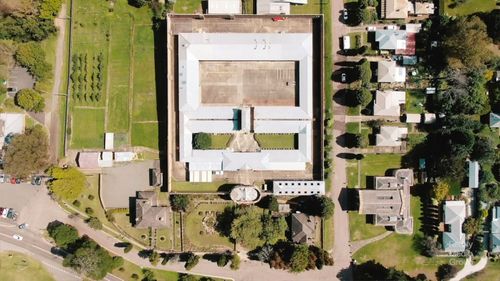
15, 266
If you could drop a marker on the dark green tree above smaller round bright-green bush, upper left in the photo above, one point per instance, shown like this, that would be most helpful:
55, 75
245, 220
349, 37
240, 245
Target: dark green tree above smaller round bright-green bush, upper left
32, 56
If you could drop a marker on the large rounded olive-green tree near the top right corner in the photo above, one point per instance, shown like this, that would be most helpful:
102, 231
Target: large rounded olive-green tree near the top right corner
466, 43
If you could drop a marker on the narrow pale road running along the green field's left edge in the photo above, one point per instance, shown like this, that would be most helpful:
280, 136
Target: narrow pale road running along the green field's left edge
52, 121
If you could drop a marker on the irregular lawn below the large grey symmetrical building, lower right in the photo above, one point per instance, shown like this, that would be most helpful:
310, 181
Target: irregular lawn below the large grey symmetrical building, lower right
401, 251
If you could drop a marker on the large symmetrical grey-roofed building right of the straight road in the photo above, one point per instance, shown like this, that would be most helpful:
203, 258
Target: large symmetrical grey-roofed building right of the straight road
389, 202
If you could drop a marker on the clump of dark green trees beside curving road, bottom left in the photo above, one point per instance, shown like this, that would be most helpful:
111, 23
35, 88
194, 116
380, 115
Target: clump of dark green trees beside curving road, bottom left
84, 255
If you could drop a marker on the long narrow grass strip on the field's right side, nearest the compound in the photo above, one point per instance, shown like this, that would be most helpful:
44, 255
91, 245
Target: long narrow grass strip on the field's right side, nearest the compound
144, 107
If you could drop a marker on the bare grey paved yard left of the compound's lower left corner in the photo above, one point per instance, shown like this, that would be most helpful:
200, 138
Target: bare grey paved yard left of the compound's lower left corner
121, 183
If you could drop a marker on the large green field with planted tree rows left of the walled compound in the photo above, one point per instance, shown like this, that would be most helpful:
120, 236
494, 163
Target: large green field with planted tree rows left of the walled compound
125, 38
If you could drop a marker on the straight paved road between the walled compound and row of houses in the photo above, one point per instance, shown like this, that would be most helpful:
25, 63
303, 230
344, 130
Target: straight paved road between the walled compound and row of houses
341, 249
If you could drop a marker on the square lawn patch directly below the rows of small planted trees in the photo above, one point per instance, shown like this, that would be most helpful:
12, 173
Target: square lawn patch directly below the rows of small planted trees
87, 128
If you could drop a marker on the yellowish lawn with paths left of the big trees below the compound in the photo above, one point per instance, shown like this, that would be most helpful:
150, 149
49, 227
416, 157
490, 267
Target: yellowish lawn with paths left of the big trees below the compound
200, 237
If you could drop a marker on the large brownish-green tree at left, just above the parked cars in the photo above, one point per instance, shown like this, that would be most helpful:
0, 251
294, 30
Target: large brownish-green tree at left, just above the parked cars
28, 153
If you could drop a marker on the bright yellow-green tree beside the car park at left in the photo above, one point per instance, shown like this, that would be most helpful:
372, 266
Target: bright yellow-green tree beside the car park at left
68, 183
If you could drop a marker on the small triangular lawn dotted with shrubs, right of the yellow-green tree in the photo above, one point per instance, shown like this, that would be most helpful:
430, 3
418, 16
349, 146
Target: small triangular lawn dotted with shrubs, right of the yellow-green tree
92, 190
